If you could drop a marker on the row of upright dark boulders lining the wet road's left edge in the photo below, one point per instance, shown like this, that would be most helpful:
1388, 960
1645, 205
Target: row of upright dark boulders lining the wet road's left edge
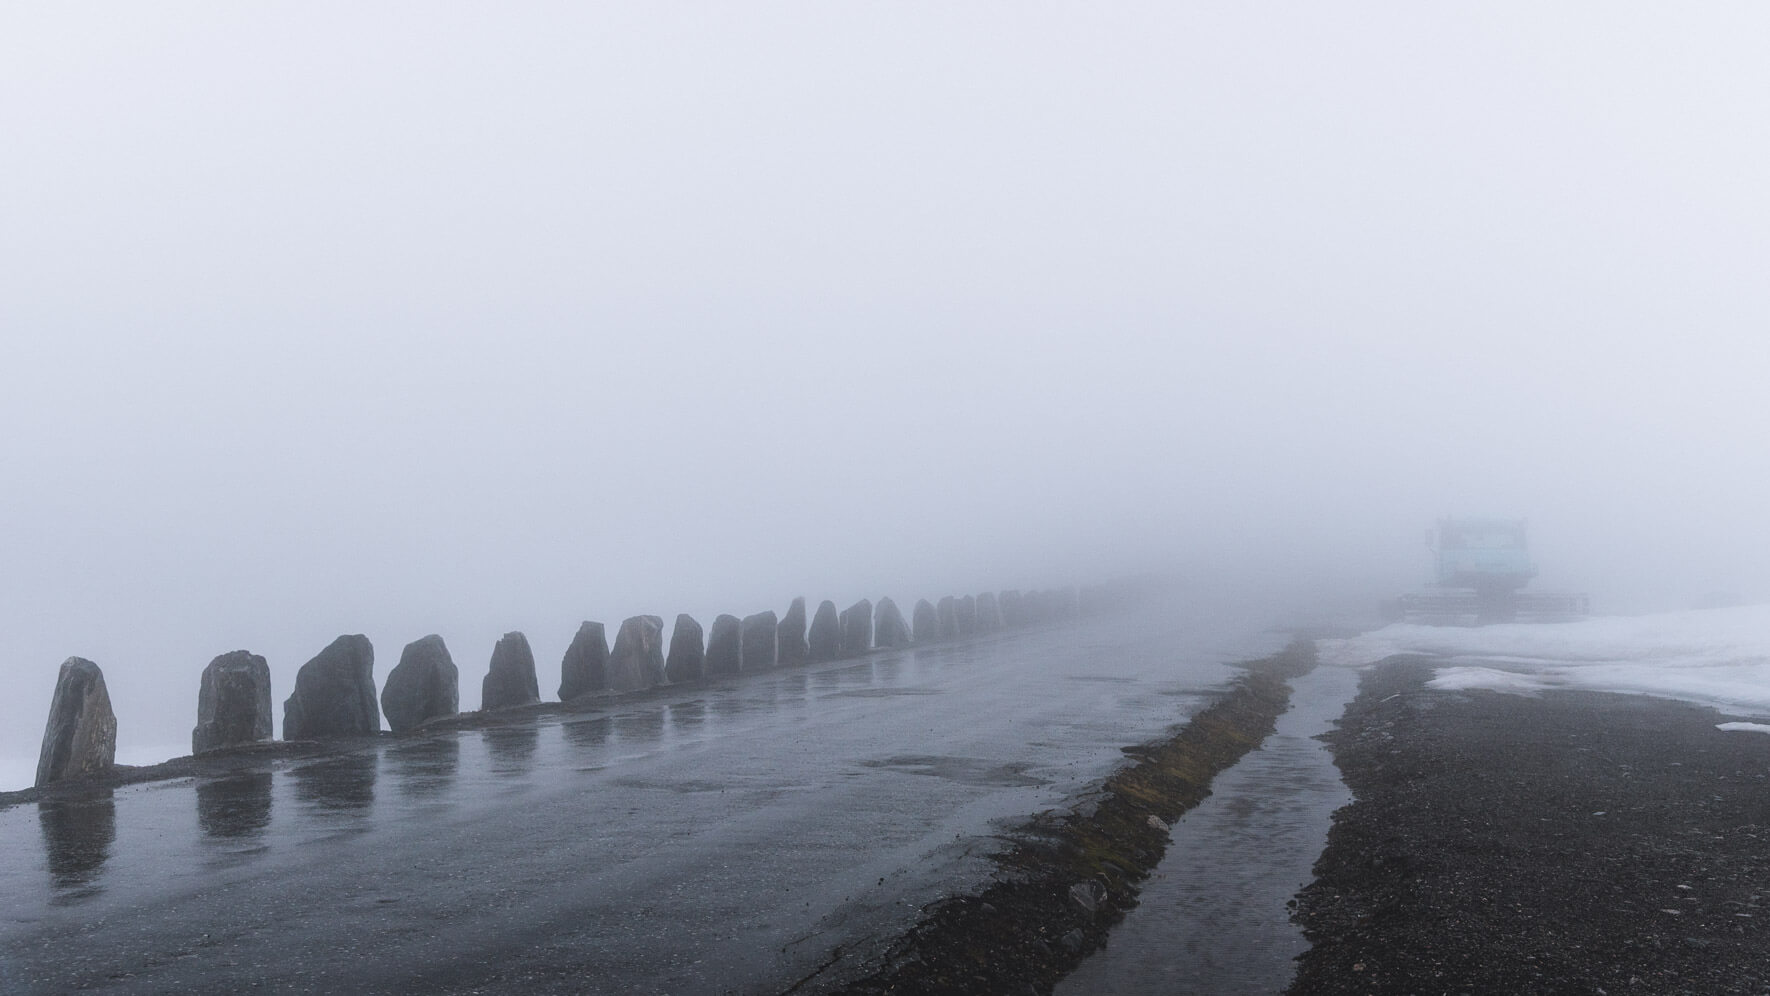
335, 693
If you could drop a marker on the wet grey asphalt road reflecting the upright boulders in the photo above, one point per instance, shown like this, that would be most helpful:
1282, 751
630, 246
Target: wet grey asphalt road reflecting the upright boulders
718, 839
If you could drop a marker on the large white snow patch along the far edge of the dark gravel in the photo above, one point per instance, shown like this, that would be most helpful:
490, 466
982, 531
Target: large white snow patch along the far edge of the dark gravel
1712, 657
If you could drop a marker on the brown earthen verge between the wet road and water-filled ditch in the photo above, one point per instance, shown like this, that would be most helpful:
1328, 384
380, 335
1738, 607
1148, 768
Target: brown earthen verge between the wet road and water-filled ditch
1072, 877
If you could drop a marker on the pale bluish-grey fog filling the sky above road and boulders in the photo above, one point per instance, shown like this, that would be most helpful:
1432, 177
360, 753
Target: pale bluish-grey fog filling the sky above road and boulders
419, 318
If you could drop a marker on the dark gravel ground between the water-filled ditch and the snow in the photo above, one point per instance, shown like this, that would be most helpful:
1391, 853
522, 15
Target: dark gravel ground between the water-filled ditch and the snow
1571, 843
